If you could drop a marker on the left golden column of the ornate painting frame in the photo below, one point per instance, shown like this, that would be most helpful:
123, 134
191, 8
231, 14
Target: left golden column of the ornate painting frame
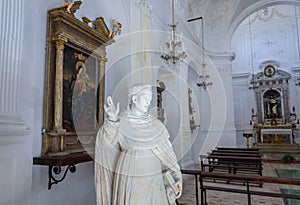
58, 101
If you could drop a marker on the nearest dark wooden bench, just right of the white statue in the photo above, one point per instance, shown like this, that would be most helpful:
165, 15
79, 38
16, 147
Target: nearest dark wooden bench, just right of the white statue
246, 179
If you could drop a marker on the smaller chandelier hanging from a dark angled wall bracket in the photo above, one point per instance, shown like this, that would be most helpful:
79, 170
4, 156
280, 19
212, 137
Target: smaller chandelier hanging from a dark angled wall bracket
203, 77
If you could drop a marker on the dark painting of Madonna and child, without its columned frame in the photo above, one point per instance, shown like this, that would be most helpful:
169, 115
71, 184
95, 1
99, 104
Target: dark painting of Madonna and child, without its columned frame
79, 91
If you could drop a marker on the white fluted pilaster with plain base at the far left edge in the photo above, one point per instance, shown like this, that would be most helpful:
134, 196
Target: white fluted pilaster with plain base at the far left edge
15, 159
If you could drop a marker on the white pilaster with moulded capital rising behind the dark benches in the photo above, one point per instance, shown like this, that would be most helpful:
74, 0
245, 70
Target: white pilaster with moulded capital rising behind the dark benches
217, 112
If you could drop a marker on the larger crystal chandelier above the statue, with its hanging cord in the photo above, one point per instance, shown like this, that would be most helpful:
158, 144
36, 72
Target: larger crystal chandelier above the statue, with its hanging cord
174, 51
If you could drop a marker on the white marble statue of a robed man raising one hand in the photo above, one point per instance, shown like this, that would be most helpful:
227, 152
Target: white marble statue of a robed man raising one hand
134, 160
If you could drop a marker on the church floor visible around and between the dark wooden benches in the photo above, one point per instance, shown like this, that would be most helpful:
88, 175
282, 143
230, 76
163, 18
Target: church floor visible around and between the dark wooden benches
225, 198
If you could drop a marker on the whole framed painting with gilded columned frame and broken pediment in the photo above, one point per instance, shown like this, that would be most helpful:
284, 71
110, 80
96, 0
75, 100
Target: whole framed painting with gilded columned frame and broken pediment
74, 82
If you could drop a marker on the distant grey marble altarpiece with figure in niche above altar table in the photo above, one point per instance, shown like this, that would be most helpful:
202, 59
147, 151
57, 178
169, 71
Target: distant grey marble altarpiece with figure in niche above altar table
272, 121
